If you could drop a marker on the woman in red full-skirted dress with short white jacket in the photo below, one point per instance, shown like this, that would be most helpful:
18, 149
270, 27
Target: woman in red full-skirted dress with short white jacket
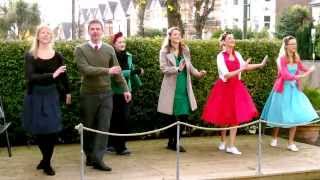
229, 102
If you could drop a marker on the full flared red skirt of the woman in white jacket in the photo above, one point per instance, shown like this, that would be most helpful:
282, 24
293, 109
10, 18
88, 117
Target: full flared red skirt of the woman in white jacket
229, 104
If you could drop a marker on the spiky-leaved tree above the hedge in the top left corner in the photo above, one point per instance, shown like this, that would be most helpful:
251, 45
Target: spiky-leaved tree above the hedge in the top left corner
19, 19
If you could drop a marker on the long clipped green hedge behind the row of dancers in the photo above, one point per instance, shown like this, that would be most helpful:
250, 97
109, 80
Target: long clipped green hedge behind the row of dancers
143, 110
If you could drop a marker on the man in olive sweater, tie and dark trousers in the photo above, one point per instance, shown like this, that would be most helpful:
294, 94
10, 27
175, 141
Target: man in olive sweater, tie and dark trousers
97, 62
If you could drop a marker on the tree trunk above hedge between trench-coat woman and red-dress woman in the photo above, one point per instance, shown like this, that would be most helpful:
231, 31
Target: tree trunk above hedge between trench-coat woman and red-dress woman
202, 11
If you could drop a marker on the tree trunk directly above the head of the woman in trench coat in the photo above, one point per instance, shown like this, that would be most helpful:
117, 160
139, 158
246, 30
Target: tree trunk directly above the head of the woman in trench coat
174, 15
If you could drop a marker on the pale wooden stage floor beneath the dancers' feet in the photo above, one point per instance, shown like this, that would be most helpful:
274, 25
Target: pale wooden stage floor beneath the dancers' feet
151, 161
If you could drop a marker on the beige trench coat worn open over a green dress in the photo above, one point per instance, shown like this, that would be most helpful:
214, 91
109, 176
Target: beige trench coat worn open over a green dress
168, 86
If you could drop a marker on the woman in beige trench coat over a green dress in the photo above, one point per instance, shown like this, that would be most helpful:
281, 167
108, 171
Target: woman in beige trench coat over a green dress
176, 99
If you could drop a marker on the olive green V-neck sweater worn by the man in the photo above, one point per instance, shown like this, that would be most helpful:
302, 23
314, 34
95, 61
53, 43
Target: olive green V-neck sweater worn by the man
93, 66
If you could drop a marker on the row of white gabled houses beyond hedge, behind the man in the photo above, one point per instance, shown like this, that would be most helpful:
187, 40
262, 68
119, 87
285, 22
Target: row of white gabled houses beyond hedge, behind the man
116, 15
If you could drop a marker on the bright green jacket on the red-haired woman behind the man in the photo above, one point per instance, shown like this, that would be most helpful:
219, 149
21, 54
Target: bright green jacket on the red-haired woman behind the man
132, 80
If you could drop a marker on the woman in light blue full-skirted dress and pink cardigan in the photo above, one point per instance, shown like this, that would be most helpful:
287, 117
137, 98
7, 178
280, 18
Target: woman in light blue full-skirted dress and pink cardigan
287, 106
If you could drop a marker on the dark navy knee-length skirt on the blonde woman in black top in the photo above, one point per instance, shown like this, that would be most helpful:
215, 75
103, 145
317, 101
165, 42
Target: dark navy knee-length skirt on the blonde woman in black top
41, 113
